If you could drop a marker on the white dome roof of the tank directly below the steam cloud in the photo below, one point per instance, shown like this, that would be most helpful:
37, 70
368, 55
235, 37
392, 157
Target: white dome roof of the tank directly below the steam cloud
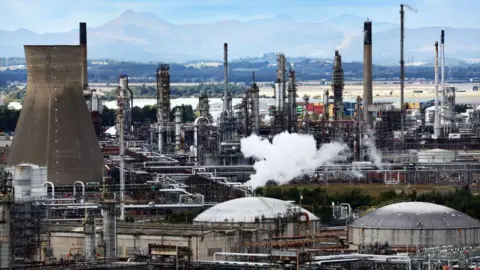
247, 209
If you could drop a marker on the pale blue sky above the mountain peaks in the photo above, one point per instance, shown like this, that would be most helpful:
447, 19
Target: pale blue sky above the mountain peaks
63, 15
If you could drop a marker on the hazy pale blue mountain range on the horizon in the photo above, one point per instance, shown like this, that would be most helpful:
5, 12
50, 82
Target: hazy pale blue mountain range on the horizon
135, 36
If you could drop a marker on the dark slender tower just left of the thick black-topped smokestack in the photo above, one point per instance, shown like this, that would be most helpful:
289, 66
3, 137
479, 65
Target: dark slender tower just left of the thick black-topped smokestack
337, 87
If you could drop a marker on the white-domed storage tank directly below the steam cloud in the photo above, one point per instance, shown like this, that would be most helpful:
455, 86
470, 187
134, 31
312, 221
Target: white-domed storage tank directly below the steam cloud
268, 214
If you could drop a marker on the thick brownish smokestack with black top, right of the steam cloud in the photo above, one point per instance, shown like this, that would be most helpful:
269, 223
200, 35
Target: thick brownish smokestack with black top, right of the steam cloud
367, 73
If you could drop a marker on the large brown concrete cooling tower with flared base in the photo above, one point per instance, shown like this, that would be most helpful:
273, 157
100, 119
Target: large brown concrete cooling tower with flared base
54, 128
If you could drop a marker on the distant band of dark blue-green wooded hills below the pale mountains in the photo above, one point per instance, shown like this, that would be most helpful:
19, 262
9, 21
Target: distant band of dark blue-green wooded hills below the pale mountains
241, 71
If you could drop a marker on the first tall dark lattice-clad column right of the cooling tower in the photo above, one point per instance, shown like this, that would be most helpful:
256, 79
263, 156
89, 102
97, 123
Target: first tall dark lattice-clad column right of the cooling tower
163, 102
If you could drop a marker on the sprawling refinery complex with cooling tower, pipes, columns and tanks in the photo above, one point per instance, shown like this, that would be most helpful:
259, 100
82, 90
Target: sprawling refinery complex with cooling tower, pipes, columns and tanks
73, 197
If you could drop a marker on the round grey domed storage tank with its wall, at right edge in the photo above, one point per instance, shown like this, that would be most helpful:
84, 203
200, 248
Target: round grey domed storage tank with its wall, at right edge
415, 224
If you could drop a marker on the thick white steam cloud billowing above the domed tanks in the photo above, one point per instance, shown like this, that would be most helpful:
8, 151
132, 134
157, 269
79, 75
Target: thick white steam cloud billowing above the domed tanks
288, 156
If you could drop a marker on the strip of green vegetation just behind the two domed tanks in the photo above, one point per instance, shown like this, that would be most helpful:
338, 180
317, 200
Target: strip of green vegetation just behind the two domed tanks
375, 189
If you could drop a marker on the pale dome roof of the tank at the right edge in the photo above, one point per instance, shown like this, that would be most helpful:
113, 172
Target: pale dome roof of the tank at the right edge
416, 215
